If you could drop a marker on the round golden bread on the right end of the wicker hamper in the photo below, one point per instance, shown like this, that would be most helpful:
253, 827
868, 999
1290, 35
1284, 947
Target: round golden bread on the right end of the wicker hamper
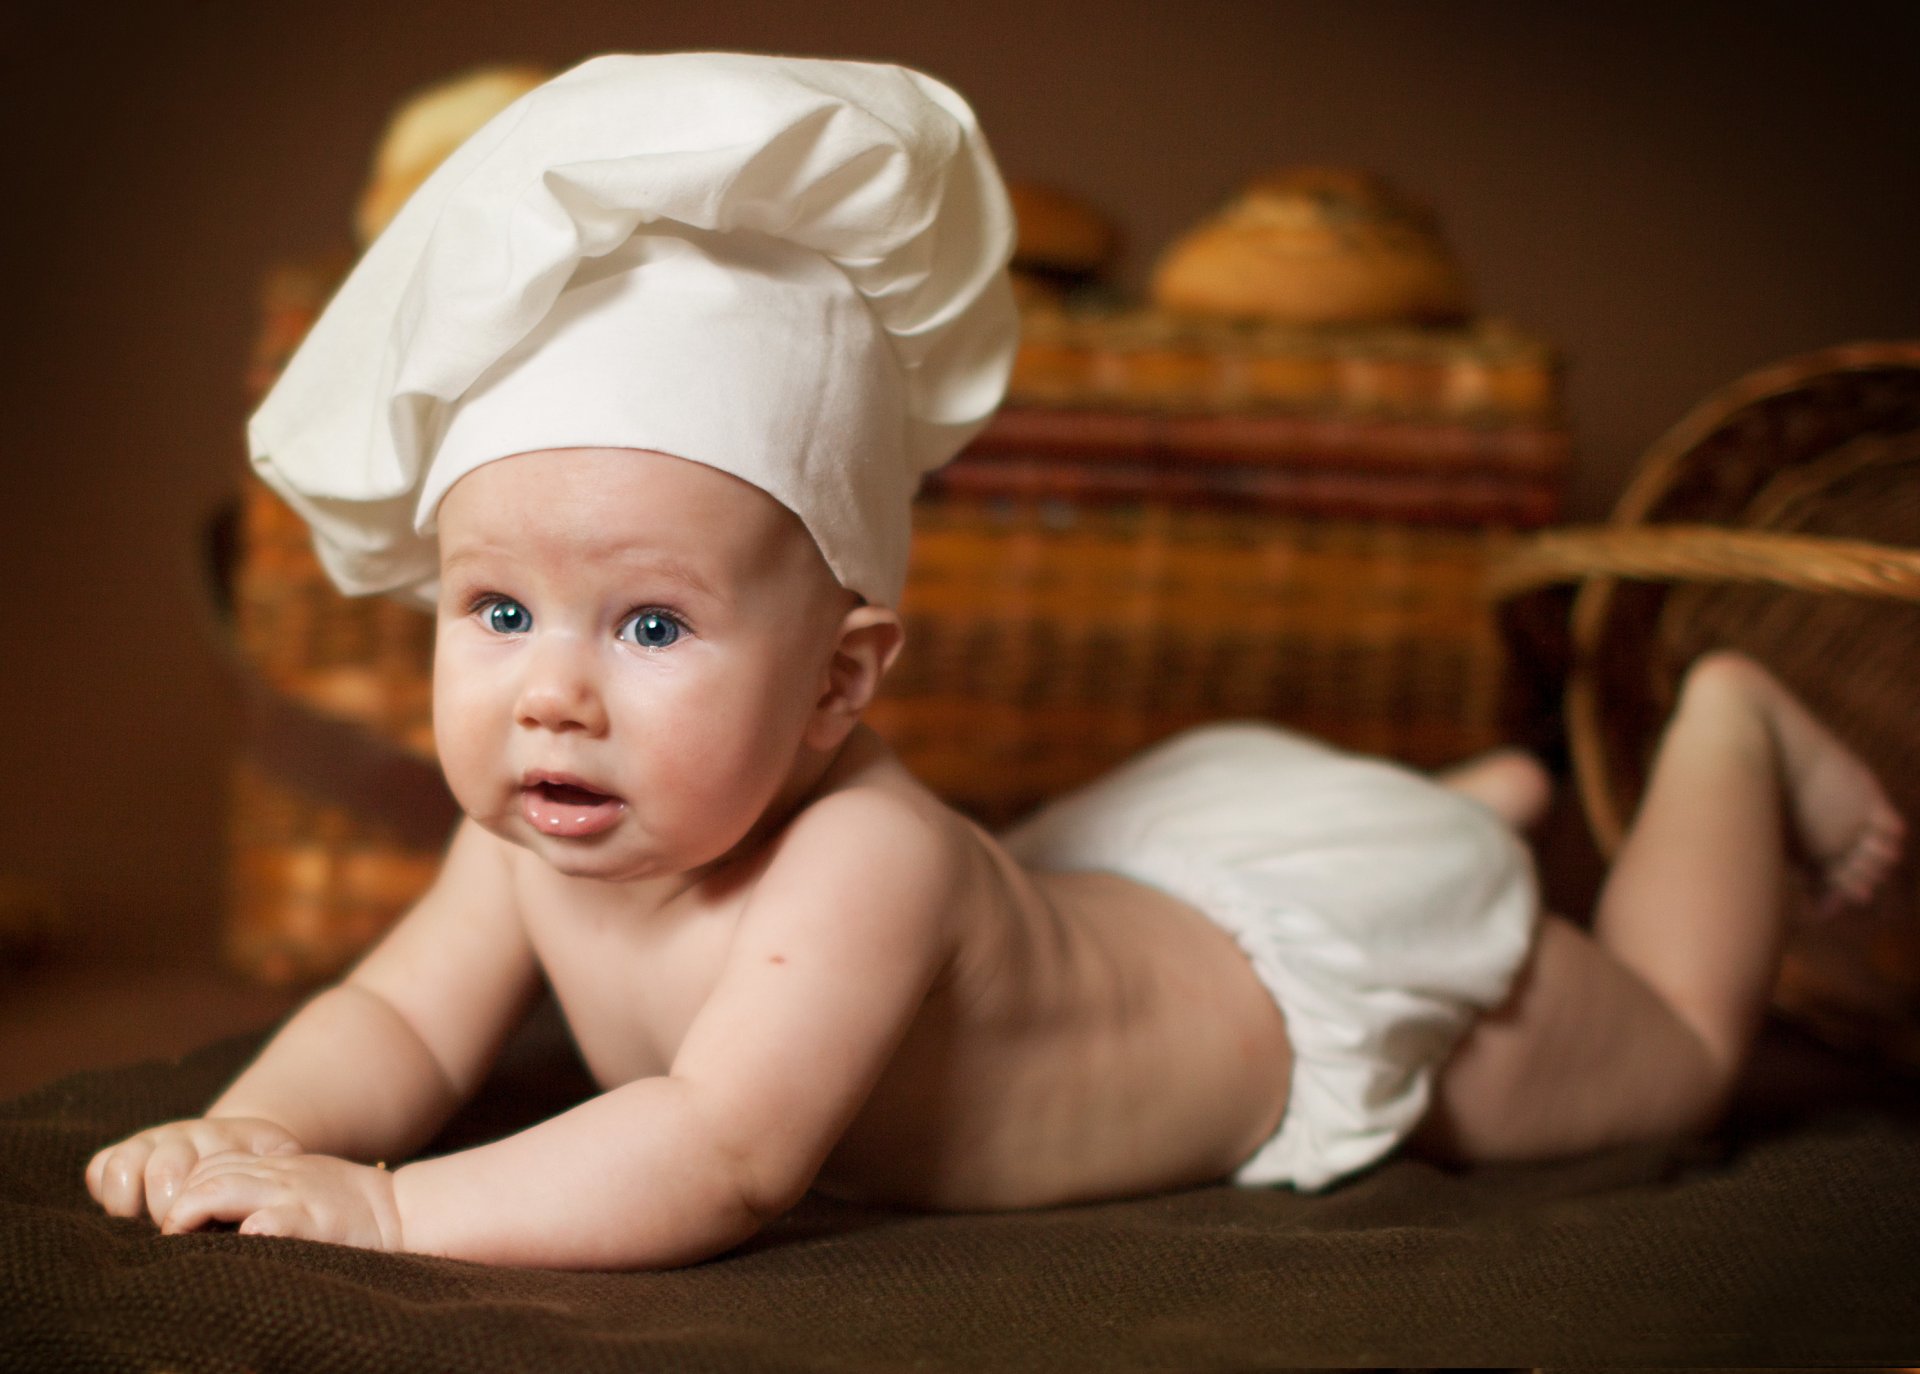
1316, 247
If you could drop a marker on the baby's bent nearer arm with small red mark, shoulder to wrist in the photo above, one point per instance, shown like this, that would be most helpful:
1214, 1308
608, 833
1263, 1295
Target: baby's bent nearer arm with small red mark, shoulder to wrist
838, 947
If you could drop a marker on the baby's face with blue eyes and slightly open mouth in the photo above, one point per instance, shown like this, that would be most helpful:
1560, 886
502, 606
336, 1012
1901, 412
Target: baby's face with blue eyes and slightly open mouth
629, 657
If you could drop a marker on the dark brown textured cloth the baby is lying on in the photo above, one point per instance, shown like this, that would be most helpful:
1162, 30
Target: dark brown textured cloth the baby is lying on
1792, 1239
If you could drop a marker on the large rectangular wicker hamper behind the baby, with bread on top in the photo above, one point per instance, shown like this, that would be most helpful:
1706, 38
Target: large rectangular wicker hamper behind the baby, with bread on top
1111, 561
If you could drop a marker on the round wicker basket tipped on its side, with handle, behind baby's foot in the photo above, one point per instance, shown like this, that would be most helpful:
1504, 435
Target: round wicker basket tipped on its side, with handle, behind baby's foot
1781, 517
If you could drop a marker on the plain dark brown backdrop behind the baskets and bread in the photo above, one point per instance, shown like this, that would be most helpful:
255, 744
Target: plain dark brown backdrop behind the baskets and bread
1673, 199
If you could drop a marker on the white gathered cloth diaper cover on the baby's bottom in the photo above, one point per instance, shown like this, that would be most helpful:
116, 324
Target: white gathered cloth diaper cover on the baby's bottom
1380, 911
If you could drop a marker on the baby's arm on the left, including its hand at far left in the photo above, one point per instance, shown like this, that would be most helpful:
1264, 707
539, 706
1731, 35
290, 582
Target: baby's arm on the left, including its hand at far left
370, 1068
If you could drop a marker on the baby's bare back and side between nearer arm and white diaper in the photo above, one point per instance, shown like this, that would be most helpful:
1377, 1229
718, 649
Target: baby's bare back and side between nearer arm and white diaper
1099, 1041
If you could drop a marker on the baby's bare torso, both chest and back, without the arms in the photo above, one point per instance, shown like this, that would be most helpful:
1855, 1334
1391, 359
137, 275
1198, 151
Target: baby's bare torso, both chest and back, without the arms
1088, 1037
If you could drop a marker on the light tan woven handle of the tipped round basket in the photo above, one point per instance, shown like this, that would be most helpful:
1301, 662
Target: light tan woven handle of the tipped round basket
1708, 554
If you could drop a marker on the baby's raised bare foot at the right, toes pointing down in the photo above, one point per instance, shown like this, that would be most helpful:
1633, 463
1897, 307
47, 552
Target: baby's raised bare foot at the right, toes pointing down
1842, 815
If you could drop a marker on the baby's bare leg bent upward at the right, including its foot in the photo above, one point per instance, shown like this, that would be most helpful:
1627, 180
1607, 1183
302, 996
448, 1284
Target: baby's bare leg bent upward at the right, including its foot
1641, 1030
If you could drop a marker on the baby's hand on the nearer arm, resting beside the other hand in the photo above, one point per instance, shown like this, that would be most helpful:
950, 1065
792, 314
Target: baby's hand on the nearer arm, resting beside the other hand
308, 1196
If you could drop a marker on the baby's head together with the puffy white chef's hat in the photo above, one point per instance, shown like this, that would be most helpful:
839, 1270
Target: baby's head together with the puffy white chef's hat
635, 392
